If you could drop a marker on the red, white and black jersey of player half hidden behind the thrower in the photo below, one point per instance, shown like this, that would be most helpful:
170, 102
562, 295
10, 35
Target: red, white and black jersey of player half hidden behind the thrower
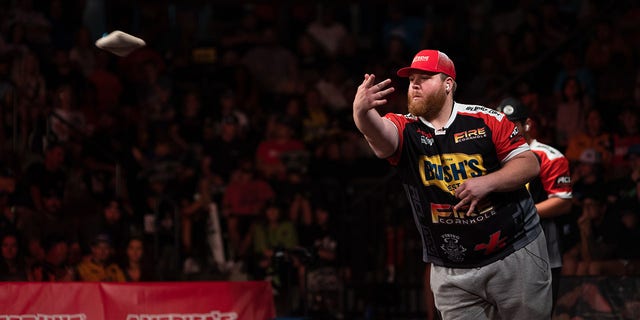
554, 181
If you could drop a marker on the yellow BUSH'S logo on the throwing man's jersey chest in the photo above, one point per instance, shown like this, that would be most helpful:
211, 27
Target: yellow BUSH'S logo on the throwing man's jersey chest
449, 170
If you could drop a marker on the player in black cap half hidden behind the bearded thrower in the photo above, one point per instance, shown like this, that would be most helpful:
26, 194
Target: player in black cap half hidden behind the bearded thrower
551, 190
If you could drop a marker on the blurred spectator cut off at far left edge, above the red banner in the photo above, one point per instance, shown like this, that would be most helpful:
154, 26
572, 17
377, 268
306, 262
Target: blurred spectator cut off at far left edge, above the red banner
13, 267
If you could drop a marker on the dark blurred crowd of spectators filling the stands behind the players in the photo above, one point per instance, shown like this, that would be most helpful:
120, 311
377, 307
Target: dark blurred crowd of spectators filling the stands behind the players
117, 168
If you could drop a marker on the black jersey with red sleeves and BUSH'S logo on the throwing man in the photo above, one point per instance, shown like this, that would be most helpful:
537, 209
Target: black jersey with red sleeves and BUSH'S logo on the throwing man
432, 163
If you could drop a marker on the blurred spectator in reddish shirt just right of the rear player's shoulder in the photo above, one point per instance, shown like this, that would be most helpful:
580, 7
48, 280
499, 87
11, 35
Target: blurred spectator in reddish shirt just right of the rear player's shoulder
594, 136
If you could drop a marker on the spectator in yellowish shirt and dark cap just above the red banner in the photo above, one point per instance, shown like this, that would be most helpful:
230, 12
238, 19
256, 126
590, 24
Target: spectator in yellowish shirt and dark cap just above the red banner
99, 266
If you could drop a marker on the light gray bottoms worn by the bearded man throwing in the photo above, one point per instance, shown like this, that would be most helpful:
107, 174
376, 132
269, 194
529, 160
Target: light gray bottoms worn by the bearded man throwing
516, 287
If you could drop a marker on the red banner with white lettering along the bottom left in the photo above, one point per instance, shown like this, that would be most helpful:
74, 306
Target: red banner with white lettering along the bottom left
142, 301
